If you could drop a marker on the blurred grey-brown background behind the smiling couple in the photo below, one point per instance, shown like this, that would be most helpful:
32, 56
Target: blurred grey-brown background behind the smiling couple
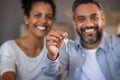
12, 24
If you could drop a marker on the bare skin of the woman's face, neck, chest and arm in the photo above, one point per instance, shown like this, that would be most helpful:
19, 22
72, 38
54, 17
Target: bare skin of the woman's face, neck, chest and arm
41, 15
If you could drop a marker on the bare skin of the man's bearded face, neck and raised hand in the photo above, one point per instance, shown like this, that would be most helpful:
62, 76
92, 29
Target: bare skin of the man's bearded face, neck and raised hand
88, 21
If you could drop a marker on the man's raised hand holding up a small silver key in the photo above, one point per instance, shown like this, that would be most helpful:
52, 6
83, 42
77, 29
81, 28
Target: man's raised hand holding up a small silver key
54, 41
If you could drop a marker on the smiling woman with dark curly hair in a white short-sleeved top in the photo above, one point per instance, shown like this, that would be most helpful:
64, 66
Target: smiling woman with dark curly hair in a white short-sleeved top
22, 58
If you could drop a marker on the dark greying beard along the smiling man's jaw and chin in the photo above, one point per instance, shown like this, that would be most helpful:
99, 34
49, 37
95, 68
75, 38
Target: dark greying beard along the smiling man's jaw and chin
92, 40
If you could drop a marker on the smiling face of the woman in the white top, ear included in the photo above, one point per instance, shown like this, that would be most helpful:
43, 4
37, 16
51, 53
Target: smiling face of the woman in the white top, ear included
40, 19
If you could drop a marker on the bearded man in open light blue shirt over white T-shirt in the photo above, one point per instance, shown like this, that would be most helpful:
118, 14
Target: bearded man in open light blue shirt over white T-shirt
95, 56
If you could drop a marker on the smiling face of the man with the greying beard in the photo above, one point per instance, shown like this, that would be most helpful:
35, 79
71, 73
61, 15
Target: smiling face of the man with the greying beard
88, 21
